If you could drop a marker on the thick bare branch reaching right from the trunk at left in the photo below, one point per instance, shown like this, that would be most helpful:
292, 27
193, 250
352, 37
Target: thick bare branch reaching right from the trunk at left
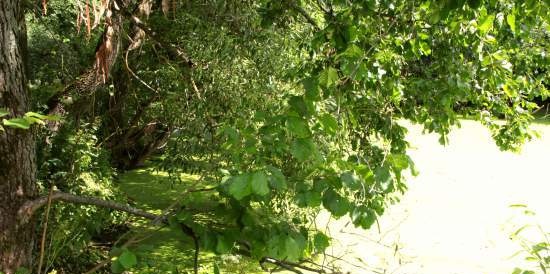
29, 208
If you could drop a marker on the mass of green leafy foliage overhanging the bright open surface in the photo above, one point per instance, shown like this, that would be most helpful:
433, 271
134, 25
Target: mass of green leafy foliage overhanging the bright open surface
284, 108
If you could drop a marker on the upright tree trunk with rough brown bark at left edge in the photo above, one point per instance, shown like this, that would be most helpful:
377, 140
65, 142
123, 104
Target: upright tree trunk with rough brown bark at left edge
17, 149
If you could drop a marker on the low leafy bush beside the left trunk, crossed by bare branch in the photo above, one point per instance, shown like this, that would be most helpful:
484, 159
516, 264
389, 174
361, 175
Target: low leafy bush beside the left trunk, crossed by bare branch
79, 235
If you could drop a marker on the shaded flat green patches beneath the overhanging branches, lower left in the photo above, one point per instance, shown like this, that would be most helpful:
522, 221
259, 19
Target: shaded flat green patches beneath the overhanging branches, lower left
168, 250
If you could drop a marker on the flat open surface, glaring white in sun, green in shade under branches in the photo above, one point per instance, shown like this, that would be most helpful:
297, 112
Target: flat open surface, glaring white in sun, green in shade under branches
455, 219
